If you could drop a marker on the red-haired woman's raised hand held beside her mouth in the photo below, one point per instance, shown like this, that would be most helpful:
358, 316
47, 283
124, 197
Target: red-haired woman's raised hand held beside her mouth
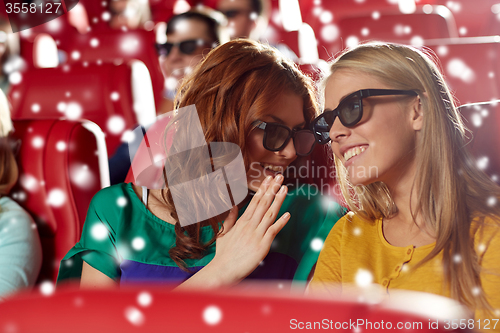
246, 242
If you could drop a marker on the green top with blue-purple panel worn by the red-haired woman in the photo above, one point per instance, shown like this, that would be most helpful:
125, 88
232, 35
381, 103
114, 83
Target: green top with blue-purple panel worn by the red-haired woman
124, 240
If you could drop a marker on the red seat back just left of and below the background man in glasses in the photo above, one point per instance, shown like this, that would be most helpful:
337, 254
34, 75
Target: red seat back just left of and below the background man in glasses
100, 93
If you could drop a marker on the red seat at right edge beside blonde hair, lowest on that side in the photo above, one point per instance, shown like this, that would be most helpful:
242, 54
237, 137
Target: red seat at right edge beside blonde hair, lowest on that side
483, 119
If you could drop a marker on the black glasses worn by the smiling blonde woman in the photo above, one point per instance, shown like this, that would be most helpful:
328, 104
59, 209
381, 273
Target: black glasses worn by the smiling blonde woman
349, 111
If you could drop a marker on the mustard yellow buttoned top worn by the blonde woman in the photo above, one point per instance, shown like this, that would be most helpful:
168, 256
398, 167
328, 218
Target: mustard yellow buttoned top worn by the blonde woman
356, 251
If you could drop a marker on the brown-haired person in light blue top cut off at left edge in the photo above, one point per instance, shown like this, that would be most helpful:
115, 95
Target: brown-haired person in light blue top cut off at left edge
20, 249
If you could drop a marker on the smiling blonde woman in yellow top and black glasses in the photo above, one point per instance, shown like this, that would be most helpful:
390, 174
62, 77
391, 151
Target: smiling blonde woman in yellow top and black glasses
424, 217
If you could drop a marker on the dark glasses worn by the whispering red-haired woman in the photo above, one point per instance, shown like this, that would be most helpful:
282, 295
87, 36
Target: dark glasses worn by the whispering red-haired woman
277, 136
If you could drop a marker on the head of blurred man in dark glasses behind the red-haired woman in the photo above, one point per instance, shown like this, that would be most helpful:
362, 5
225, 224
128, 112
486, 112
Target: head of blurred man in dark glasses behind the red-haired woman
190, 36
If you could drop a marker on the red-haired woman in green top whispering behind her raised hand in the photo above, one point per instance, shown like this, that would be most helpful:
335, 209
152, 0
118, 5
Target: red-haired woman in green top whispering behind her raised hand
247, 94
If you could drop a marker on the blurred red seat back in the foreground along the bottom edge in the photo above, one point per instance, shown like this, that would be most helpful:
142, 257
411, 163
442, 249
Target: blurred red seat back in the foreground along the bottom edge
147, 309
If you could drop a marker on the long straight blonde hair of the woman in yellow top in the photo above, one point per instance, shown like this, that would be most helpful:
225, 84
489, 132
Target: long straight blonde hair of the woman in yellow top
451, 191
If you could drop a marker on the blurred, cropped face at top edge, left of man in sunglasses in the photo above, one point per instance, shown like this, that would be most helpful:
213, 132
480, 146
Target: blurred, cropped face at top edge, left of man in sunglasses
129, 14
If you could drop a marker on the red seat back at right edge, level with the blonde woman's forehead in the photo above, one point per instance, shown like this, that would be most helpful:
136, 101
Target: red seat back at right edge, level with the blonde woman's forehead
470, 66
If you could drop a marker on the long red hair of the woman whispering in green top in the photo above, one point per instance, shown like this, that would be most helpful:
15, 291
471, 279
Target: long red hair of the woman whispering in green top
234, 86
